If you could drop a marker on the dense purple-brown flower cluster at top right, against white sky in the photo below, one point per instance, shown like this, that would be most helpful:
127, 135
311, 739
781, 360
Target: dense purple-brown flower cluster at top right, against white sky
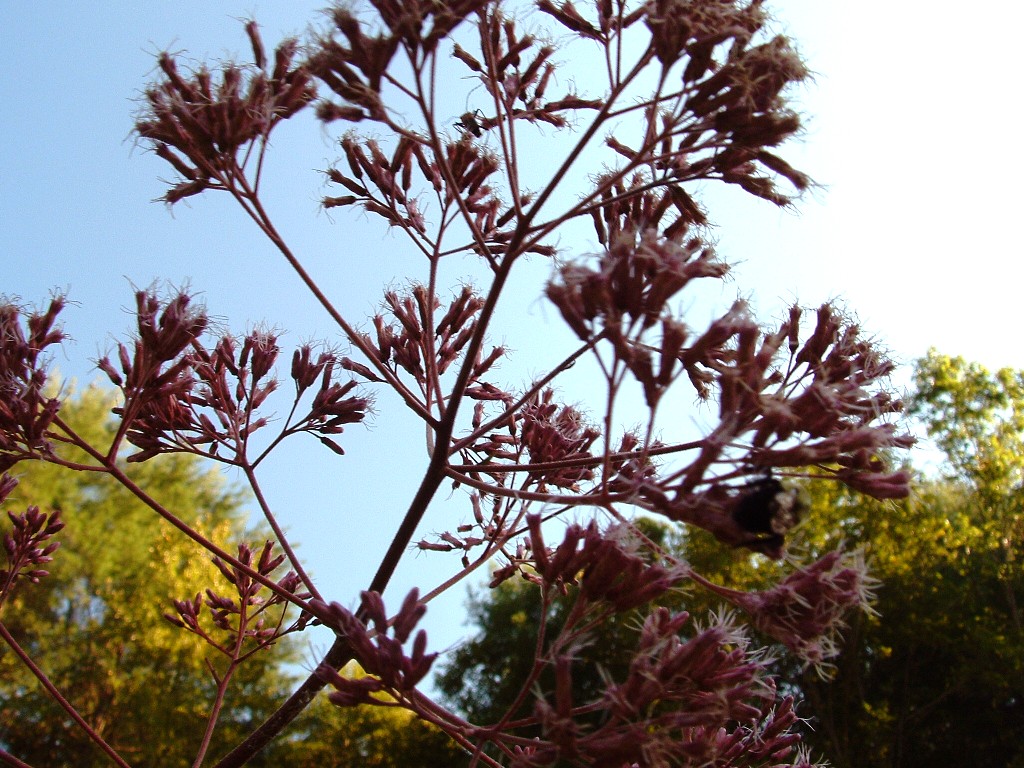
729, 114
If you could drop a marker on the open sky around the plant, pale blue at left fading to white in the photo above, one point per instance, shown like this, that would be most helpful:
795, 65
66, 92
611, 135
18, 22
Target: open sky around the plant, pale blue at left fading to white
912, 124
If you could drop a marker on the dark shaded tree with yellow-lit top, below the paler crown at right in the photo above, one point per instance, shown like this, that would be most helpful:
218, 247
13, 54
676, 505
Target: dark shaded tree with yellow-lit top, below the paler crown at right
938, 672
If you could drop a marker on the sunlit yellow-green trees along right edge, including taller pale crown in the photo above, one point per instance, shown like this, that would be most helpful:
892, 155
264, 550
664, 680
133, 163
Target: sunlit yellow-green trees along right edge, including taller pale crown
941, 671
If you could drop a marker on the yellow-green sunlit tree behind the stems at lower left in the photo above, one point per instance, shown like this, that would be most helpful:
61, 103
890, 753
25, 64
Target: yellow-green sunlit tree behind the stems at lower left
96, 625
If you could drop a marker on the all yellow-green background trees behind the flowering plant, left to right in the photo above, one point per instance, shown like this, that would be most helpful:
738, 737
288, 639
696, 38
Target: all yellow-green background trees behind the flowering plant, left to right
937, 672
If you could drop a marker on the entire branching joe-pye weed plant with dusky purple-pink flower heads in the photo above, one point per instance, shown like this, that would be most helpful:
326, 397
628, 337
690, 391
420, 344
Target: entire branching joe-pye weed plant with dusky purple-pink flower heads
688, 94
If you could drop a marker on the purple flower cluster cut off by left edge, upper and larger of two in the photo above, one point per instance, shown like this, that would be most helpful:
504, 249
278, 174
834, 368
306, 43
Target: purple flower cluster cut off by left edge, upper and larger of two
26, 411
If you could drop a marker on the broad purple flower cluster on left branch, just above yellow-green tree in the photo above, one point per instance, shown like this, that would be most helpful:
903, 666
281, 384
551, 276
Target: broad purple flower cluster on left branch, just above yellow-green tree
183, 397
